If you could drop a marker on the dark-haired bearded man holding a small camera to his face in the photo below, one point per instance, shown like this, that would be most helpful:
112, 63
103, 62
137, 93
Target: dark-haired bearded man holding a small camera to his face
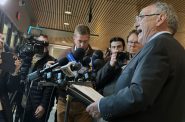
111, 70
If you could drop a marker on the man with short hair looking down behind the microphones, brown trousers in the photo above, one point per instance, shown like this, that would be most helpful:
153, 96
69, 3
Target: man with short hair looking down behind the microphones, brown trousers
77, 111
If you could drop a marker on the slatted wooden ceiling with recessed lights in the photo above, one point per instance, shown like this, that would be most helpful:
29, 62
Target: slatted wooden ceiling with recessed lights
109, 17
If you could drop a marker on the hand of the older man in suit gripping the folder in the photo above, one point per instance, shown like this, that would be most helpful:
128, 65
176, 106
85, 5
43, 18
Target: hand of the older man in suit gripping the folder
92, 109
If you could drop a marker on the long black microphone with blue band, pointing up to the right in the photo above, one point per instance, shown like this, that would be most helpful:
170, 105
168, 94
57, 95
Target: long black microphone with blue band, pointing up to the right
76, 56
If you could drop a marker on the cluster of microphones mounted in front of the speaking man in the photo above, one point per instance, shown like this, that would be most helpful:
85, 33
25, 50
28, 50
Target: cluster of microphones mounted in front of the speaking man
74, 65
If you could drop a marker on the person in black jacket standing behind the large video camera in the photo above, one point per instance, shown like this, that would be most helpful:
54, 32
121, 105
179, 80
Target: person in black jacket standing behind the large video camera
41, 98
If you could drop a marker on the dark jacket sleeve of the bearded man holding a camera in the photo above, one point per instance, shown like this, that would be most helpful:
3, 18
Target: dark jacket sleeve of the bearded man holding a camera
105, 75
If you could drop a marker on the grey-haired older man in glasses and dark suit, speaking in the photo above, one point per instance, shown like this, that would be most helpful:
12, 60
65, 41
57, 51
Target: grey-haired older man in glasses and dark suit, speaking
152, 86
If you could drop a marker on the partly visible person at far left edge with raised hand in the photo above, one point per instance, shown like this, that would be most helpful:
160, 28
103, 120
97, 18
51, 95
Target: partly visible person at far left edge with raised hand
8, 83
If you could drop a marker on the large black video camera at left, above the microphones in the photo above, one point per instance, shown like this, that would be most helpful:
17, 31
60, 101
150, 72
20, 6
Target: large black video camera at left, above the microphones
32, 46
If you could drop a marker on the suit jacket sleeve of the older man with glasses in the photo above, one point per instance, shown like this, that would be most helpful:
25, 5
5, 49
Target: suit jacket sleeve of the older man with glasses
148, 80
